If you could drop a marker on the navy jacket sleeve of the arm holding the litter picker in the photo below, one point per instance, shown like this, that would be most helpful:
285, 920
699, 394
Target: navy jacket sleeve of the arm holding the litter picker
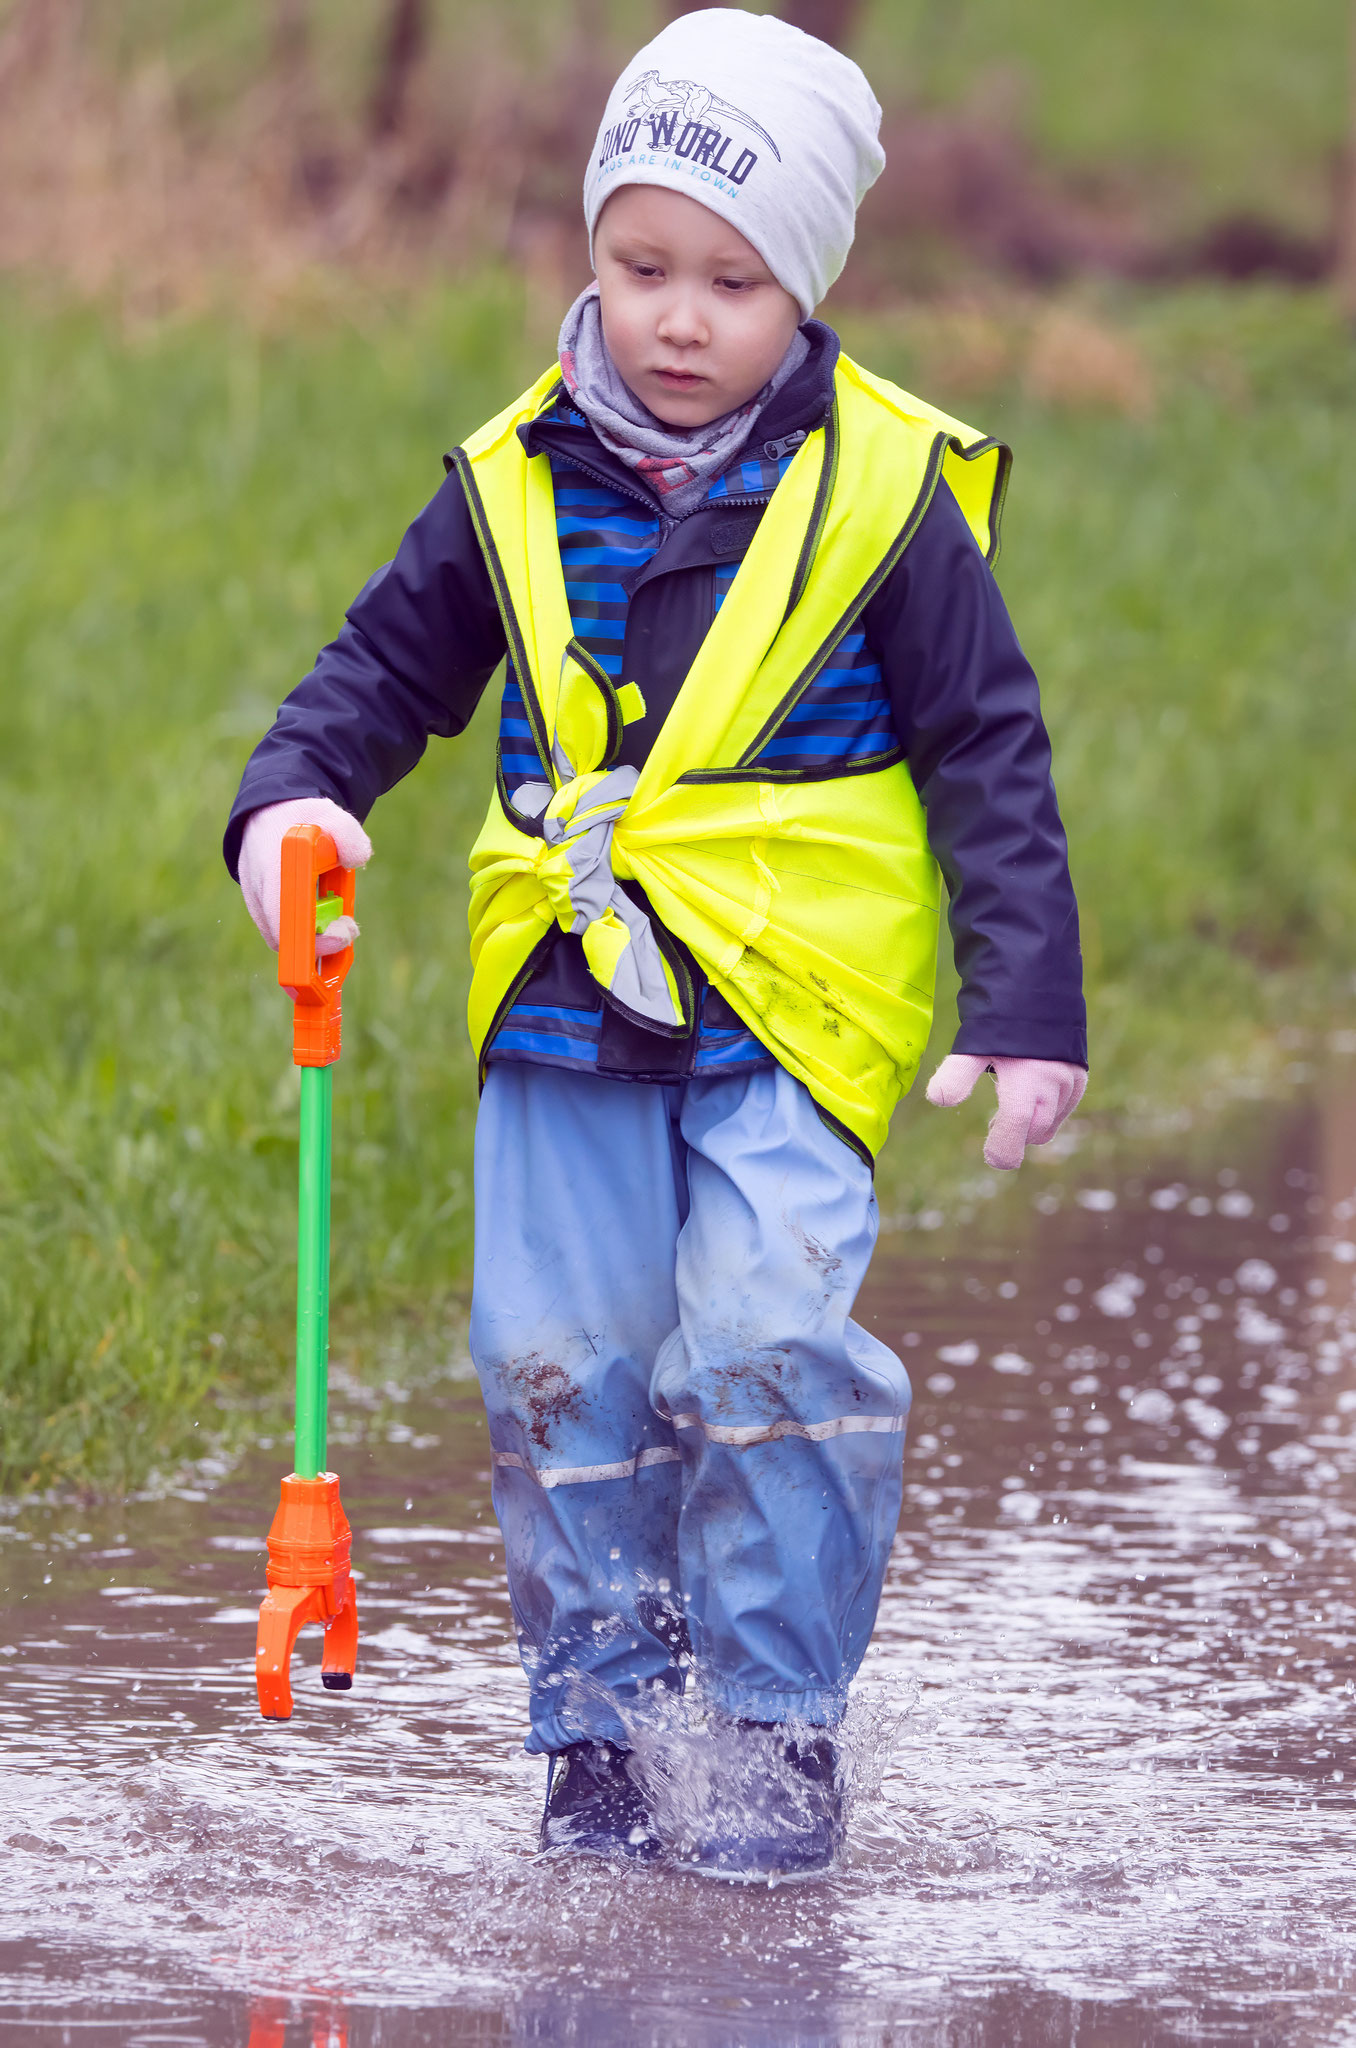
419, 646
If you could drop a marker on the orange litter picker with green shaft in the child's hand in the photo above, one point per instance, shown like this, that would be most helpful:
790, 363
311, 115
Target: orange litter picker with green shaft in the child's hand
310, 1578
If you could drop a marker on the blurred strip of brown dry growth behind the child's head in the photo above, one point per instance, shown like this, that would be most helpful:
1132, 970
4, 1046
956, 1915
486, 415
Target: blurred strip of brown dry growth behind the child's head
118, 189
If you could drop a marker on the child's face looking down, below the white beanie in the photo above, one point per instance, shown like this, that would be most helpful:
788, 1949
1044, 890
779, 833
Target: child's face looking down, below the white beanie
691, 314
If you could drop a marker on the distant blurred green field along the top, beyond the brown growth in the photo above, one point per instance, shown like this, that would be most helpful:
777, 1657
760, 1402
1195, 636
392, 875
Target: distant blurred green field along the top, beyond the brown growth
1222, 105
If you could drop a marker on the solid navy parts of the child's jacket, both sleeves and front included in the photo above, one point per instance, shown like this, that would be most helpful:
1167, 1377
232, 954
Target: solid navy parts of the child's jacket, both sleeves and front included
425, 638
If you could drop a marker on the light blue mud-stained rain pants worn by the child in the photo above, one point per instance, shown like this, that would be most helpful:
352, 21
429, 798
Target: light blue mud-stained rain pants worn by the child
693, 1441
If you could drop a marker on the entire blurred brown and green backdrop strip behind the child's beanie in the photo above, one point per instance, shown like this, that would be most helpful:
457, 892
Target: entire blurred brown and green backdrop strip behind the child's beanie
169, 157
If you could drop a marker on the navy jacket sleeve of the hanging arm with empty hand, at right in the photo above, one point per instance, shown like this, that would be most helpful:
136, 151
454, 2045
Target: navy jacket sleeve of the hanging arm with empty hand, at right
970, 718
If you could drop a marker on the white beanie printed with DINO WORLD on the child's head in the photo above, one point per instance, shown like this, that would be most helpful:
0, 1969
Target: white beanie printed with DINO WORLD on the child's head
767, 126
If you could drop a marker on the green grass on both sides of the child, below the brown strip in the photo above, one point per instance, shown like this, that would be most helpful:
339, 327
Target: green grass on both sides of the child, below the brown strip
181, 525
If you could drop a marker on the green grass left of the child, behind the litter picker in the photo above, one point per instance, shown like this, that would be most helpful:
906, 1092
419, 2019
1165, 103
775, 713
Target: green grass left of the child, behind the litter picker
183, 525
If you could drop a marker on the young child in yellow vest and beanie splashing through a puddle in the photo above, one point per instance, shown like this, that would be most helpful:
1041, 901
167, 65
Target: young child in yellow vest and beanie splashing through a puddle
761, 687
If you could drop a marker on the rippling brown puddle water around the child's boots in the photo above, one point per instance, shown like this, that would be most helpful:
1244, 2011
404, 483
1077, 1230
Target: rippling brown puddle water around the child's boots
1103, 1736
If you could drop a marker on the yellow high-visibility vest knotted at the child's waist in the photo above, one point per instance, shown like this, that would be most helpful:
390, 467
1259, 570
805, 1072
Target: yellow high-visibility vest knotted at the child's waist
808, 900
